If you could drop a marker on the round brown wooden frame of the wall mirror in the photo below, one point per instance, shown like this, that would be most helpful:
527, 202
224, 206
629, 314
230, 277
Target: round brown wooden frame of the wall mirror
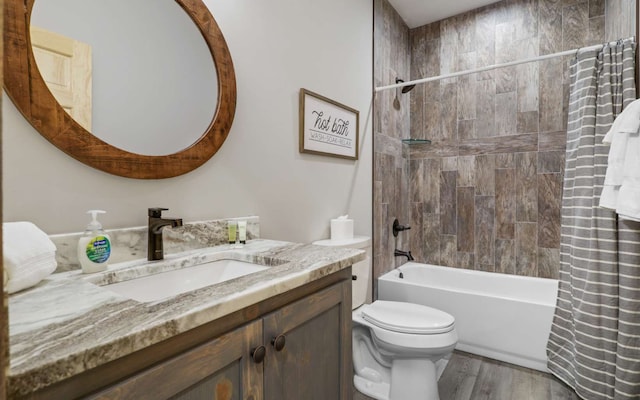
30, 94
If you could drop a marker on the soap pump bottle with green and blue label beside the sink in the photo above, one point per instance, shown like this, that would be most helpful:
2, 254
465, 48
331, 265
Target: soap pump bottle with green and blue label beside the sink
94, 247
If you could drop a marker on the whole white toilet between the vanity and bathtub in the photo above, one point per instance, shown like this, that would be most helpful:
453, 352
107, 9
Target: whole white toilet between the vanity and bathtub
399, 349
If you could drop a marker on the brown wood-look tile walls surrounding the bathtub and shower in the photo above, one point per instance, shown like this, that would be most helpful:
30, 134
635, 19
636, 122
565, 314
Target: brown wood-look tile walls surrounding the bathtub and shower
486, 193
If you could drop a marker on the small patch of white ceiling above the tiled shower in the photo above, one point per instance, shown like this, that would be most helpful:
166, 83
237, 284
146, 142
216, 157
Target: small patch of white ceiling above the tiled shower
421, 12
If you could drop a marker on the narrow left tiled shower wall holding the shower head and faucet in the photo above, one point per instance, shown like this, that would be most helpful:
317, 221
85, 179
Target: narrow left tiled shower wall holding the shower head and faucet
392, 58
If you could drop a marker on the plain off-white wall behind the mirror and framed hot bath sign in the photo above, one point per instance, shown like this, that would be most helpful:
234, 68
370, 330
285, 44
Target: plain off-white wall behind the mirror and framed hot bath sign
278, 46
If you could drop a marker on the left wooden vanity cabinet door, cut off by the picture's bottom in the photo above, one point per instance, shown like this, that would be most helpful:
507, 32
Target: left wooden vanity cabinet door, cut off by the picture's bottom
221, 369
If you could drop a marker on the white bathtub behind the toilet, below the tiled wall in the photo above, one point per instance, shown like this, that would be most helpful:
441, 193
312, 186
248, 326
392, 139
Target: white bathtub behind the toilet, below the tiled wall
504, 317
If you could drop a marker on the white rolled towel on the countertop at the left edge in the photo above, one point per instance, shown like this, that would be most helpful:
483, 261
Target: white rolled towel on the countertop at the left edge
29, 255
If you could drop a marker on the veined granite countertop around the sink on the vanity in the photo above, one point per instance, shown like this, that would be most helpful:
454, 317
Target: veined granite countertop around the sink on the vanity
67, 324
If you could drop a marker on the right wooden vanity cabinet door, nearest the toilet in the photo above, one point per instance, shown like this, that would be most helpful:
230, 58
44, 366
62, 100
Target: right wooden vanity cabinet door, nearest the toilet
315, 362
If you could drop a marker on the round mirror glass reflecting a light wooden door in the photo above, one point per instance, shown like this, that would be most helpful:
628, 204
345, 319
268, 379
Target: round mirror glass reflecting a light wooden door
138, 71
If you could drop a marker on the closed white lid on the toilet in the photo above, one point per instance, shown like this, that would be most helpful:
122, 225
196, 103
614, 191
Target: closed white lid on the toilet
407, 317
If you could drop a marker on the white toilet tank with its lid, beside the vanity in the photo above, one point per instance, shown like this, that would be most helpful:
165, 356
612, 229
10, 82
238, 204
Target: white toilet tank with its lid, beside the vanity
361, 270
